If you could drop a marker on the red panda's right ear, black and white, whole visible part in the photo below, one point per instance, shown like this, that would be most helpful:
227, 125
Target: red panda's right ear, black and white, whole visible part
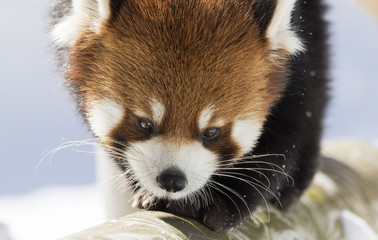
274, 19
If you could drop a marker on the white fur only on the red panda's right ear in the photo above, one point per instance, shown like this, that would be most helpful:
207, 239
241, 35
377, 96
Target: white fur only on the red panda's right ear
280, 33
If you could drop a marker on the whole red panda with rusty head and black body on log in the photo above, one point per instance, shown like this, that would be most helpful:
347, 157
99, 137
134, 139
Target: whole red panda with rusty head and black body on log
209, 108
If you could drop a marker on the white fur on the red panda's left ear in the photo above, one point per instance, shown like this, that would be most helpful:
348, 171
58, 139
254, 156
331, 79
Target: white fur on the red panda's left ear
84, 15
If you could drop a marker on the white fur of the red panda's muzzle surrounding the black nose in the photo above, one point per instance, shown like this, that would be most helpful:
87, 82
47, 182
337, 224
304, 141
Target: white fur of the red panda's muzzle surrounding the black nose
148, 159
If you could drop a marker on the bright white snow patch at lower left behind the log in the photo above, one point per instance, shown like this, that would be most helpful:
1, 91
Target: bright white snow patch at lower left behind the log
50, 213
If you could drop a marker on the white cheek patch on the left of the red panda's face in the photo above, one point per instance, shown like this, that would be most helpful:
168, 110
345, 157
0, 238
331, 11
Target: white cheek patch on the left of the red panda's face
103, 116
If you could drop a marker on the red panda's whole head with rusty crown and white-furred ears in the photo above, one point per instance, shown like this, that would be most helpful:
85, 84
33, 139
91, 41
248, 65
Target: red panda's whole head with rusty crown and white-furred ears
180, 89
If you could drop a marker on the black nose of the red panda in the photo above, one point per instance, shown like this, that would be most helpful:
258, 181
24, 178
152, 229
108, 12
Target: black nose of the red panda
172, 180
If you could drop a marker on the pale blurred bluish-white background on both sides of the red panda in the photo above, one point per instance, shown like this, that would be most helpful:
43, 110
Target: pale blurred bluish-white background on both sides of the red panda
37, 115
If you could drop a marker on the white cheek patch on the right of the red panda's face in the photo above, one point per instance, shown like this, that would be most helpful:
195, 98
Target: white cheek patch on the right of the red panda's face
246, 133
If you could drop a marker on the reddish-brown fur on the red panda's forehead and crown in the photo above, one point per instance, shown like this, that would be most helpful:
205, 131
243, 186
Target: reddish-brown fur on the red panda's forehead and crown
188, 55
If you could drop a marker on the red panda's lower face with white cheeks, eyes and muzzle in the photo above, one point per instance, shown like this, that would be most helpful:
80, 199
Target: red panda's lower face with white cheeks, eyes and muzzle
191, 150
